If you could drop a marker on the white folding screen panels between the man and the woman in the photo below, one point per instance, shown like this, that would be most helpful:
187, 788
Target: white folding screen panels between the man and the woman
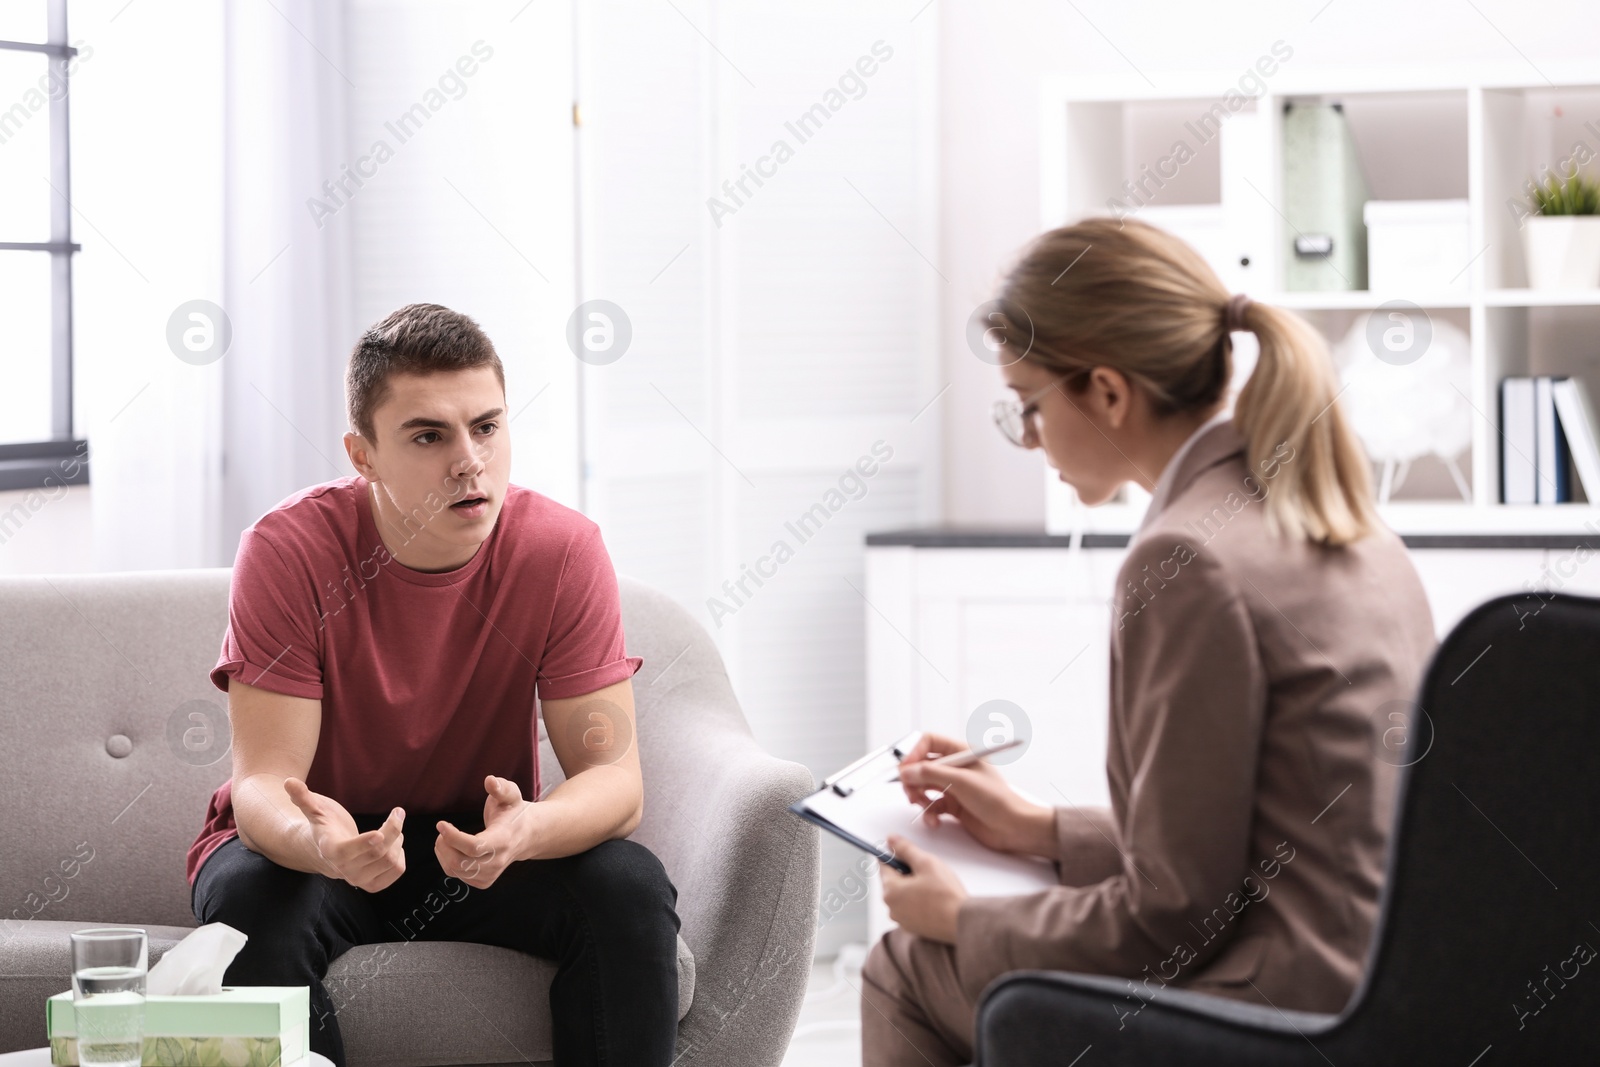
758, 201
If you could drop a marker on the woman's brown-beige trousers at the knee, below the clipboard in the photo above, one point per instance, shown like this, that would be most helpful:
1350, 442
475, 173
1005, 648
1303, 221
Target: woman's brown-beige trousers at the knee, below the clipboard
914, 1012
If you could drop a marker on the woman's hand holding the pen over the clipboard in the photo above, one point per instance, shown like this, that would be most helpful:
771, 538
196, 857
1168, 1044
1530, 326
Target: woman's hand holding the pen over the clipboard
980, 799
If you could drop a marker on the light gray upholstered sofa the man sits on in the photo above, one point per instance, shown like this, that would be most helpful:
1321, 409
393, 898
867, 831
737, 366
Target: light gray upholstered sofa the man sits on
108, 770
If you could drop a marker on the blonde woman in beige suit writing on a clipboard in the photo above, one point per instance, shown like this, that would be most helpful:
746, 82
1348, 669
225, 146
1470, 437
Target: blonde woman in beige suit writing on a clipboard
1265, 626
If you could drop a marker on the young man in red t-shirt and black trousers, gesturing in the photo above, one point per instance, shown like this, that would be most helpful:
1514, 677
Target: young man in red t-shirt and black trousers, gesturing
386, 637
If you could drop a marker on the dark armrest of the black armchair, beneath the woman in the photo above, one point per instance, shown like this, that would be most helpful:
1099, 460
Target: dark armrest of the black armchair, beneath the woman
1047, 1018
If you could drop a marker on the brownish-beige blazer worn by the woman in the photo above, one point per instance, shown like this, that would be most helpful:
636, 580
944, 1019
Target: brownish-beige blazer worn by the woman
1254, 687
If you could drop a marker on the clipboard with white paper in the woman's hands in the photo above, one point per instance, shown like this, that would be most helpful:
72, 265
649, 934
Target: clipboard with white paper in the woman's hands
862, 805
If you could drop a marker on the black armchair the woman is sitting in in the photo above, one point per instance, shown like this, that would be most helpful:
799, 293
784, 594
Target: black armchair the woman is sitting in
1490, 921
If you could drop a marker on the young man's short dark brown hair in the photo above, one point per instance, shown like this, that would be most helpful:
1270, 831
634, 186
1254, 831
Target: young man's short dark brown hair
417, 340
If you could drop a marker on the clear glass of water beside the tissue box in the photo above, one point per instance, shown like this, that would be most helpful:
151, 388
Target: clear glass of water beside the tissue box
108, 996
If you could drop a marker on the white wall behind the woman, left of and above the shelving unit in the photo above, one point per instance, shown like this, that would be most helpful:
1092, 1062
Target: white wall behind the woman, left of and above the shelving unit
993, 60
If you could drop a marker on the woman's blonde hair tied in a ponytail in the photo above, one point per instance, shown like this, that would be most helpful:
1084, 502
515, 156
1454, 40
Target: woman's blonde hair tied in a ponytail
1148, 305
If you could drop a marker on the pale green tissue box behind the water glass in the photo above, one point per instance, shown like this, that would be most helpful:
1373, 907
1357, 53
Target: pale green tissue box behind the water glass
244, 1026
